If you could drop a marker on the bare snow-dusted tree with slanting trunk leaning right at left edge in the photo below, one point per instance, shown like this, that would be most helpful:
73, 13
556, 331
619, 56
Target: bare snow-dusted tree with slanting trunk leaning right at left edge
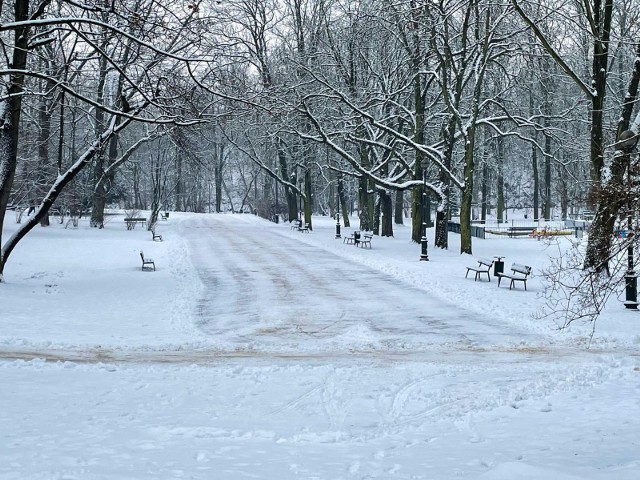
165, 51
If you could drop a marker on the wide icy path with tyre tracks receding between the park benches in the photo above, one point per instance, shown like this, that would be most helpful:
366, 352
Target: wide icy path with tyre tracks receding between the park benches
296, 297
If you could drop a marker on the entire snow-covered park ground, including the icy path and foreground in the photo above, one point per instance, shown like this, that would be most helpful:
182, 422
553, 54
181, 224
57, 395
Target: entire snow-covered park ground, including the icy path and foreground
255, 351
